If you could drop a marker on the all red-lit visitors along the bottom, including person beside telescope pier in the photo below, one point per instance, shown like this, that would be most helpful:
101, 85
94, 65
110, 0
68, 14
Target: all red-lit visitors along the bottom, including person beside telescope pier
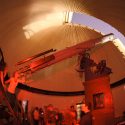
49, 115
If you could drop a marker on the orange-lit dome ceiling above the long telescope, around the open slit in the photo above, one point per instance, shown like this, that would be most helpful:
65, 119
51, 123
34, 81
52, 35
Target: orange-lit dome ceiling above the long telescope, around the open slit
17, 18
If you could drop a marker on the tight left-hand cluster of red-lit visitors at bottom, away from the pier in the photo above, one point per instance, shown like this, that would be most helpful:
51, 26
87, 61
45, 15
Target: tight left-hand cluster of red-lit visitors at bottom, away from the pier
47, 116
